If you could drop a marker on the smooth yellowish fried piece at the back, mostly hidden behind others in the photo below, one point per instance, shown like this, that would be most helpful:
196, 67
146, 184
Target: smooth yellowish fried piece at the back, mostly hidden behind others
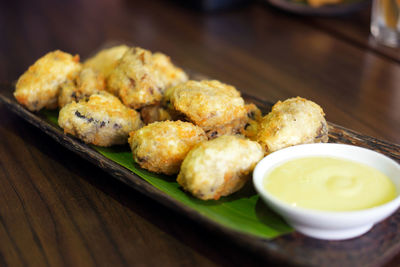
105, 61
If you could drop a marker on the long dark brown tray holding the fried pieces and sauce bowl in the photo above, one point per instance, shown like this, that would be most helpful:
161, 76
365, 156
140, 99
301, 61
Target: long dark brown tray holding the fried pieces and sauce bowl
372, 249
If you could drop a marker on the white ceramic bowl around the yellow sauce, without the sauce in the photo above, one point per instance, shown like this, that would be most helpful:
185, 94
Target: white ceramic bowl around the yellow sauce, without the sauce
329, 225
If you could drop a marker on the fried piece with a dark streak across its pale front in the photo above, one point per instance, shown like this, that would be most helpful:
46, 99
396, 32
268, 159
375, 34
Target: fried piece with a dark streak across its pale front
100, 120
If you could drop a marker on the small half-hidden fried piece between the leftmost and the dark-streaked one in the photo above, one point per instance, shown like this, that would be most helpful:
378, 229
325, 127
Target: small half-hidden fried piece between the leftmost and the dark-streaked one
87, 83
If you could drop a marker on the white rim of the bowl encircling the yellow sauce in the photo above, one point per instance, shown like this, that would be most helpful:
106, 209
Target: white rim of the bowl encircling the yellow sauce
258, 179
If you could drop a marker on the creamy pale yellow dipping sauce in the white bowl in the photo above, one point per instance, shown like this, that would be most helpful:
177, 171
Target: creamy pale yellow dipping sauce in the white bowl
329, 184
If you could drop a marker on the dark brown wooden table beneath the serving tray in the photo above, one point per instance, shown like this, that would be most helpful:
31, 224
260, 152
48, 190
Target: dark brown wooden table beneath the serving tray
57, 209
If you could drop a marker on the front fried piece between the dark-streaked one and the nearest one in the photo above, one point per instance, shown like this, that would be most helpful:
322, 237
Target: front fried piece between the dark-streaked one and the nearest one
161, 146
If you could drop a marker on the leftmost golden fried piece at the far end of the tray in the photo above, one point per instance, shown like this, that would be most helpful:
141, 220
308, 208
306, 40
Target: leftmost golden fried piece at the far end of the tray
39, 86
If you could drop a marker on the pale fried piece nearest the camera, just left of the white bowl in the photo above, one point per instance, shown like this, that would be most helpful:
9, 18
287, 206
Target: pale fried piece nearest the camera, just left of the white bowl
219, 167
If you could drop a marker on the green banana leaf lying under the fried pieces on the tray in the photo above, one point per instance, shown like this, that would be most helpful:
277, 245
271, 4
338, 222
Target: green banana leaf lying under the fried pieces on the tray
243, 211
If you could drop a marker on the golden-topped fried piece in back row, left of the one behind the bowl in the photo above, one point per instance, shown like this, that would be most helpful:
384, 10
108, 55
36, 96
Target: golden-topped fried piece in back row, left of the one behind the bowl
216, 107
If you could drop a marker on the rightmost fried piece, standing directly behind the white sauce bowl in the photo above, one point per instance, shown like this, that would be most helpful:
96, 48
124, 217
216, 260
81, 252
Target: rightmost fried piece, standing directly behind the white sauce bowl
292, 122
